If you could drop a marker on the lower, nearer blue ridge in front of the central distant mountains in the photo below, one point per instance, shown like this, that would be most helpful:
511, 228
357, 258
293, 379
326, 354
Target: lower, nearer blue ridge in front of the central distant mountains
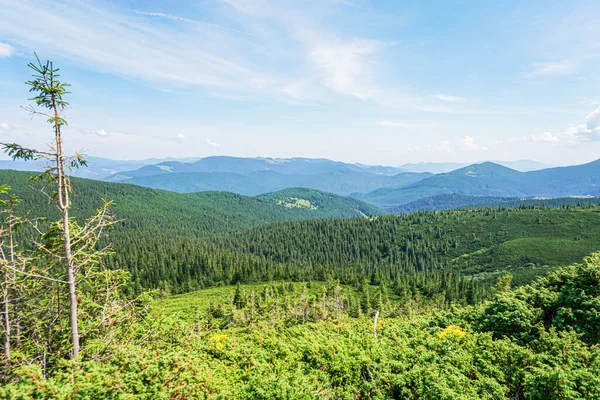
254, 183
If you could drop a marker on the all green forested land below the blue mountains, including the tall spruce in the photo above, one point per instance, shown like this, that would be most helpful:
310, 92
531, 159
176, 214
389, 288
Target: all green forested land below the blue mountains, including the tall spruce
114, 291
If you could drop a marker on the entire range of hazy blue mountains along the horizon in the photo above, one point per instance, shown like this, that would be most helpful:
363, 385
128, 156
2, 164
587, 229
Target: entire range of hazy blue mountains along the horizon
386, 187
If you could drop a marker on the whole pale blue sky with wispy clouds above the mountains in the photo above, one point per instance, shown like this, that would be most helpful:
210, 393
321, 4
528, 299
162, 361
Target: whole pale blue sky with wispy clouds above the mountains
377, 82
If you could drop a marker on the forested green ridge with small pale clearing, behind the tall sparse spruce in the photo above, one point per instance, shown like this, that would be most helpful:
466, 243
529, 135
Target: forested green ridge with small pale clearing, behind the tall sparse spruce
191, 214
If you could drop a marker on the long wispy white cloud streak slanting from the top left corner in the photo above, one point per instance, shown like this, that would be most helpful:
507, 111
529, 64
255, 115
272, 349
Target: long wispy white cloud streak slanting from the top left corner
122, 43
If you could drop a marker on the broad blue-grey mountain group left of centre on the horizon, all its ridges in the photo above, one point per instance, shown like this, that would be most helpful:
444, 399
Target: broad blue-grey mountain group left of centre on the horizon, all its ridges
252, 176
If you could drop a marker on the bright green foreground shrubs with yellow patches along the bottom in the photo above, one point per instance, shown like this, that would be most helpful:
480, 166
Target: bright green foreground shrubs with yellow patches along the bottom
534, 342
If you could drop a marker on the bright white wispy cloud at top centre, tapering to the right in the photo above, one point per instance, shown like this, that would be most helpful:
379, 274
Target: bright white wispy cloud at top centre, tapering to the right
340, 65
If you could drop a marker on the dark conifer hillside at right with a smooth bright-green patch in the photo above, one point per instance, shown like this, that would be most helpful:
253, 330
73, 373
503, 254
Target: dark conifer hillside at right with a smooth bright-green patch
526, 242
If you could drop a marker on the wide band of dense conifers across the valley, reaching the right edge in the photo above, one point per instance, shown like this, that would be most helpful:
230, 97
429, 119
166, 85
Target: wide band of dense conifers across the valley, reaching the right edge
485, 243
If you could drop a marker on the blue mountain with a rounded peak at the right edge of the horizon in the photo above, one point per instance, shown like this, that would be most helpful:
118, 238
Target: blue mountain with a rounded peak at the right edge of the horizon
489, 179
